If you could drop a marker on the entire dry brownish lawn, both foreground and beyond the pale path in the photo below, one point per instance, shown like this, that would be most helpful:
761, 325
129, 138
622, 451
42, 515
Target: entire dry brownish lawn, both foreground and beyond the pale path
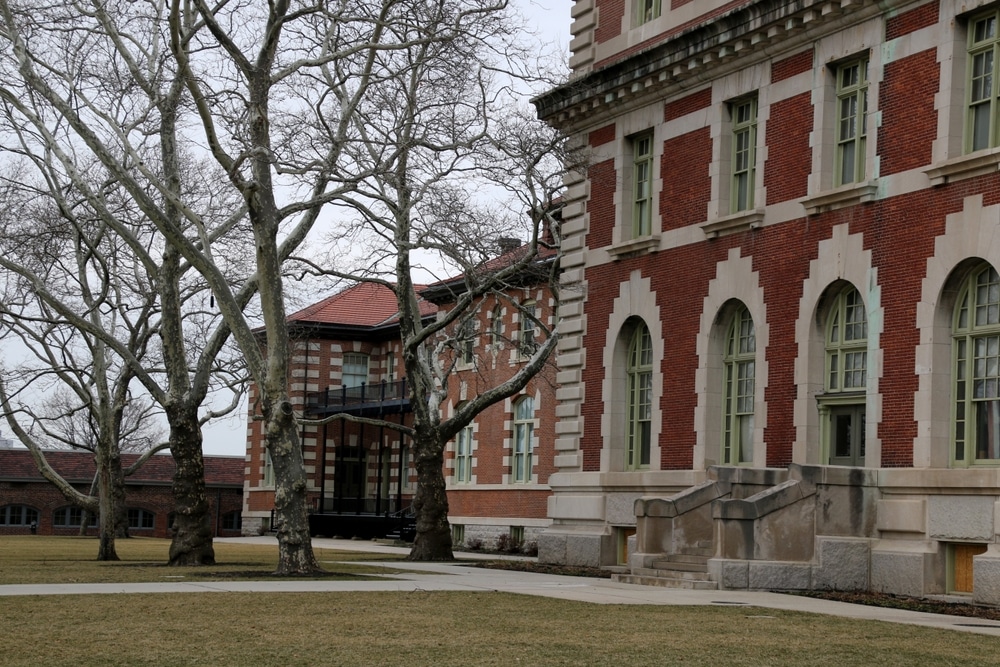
413, 629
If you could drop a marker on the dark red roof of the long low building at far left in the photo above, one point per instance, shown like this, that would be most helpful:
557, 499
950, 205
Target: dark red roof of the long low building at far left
79, 467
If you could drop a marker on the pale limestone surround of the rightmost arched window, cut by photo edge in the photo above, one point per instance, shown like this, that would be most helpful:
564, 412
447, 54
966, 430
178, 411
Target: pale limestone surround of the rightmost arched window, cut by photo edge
970, 234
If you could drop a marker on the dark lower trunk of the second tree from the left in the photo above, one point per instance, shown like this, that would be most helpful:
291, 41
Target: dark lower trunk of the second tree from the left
192, 540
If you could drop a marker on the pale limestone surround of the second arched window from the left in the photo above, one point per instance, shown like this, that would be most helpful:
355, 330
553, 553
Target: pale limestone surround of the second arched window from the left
735, 280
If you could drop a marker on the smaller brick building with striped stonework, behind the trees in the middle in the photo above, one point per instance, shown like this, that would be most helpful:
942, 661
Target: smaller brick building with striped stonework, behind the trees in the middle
347, 359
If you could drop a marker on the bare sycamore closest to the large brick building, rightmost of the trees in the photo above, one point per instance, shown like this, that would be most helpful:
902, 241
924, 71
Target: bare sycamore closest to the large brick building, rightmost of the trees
451, 163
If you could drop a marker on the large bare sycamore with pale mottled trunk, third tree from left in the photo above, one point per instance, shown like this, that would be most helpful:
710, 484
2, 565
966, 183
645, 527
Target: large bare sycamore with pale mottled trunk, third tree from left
275, 96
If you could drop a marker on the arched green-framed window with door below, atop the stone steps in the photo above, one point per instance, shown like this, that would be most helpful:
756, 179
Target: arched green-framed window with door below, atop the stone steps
842, 406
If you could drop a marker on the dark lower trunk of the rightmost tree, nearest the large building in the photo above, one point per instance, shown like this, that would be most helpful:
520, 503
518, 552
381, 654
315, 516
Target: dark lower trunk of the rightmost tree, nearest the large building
433, 541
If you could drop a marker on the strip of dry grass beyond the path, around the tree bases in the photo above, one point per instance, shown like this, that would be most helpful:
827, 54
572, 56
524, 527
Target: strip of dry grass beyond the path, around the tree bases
52, 560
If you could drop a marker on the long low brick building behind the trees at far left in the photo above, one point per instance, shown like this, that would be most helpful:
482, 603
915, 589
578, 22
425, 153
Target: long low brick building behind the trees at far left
26, 497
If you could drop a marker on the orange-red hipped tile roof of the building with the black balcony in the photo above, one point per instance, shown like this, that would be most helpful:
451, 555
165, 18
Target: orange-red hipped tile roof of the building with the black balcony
363, 305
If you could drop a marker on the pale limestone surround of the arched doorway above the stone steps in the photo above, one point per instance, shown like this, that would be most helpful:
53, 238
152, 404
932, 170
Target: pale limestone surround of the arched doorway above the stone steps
840, 258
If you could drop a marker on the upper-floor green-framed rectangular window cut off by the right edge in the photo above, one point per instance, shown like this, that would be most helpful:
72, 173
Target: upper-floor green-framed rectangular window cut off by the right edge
984, 47
